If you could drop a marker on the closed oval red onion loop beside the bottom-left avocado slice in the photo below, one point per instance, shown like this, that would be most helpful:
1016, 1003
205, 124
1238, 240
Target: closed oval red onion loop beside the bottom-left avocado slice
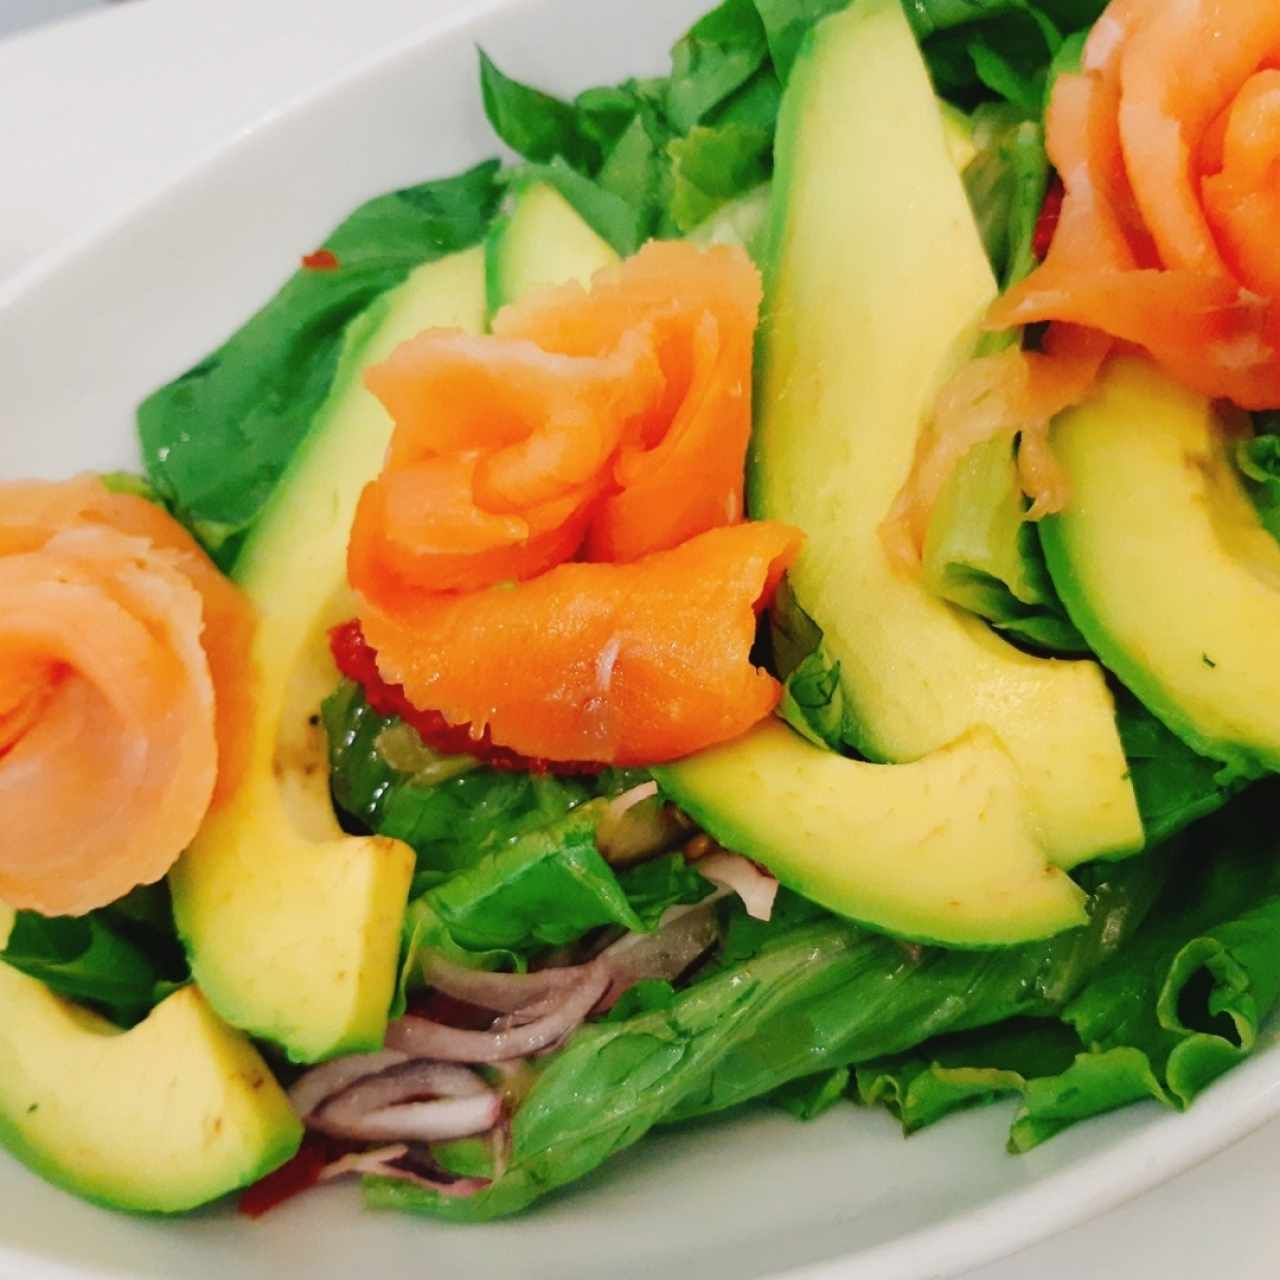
418, 1101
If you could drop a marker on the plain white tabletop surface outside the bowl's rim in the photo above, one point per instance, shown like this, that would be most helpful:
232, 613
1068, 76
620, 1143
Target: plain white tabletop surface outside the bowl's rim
227, 67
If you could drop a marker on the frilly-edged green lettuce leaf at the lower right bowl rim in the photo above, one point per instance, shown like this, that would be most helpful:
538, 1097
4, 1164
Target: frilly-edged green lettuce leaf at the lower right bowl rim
1162, 1018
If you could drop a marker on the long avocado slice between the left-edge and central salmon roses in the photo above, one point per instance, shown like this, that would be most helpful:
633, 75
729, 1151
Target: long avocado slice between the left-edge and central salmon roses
292, 926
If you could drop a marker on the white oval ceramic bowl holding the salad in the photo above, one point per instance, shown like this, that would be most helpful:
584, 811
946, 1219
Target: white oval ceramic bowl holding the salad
83, 337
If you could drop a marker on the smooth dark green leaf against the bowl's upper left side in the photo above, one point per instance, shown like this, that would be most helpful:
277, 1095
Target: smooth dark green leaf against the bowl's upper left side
217, 440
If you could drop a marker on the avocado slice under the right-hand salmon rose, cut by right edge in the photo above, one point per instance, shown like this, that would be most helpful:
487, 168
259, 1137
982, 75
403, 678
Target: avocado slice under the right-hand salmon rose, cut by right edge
1167, 568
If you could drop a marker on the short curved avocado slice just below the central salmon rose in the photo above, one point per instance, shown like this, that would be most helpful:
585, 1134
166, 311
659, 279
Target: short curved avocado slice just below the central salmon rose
940, 851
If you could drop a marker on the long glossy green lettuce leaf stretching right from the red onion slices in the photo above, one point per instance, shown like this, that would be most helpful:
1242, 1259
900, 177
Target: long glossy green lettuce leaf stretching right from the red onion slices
803, 995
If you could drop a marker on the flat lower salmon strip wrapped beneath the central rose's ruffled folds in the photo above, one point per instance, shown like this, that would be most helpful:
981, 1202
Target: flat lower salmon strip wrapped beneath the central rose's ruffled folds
614, 664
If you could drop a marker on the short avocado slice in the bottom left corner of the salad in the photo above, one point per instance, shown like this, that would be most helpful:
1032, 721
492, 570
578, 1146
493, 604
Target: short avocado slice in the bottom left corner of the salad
159, 1119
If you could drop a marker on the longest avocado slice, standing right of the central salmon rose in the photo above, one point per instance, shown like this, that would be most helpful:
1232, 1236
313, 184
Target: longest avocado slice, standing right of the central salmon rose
876, 282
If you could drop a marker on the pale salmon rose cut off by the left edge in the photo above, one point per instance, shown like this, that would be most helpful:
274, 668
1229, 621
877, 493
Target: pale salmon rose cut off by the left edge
125, 687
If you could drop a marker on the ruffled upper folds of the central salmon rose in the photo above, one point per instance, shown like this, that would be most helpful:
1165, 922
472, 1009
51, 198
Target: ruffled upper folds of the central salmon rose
602, 423
